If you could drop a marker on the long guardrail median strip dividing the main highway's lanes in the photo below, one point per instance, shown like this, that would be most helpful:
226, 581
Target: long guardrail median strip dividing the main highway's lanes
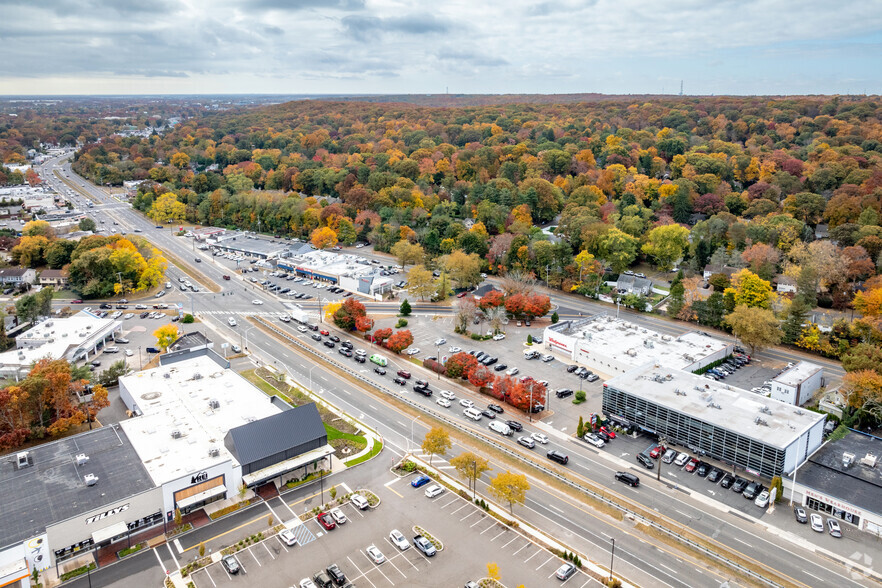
508, 451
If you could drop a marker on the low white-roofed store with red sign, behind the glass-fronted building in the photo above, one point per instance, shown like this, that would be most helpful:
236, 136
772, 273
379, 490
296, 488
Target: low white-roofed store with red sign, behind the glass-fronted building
612, 346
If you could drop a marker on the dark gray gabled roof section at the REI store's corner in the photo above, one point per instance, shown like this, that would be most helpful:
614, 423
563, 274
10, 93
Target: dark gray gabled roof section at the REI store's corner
276, 434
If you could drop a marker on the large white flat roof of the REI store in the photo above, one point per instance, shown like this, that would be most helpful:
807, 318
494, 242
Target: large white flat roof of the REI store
177, 397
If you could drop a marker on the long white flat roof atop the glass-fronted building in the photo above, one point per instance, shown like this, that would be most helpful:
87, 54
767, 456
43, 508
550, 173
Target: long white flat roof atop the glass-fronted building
767, 420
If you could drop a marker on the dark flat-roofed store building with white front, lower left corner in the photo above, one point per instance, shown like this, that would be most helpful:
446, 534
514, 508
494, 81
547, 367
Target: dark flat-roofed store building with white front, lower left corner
77, 493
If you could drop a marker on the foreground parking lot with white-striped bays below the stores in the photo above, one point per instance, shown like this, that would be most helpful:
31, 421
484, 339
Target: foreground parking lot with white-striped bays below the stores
471, 539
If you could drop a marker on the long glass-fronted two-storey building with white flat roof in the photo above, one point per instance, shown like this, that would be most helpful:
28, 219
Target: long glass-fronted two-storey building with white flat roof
764, 436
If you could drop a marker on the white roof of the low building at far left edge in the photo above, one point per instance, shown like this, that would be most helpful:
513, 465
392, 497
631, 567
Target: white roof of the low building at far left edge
59, 338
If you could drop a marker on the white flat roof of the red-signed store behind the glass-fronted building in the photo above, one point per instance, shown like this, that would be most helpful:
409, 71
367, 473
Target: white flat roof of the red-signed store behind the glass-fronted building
635, 345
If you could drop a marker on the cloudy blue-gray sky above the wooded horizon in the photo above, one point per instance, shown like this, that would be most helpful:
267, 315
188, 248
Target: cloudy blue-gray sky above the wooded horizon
460, 46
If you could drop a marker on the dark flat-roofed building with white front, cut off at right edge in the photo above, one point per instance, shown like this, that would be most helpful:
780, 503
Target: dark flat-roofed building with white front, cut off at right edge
844, 479
